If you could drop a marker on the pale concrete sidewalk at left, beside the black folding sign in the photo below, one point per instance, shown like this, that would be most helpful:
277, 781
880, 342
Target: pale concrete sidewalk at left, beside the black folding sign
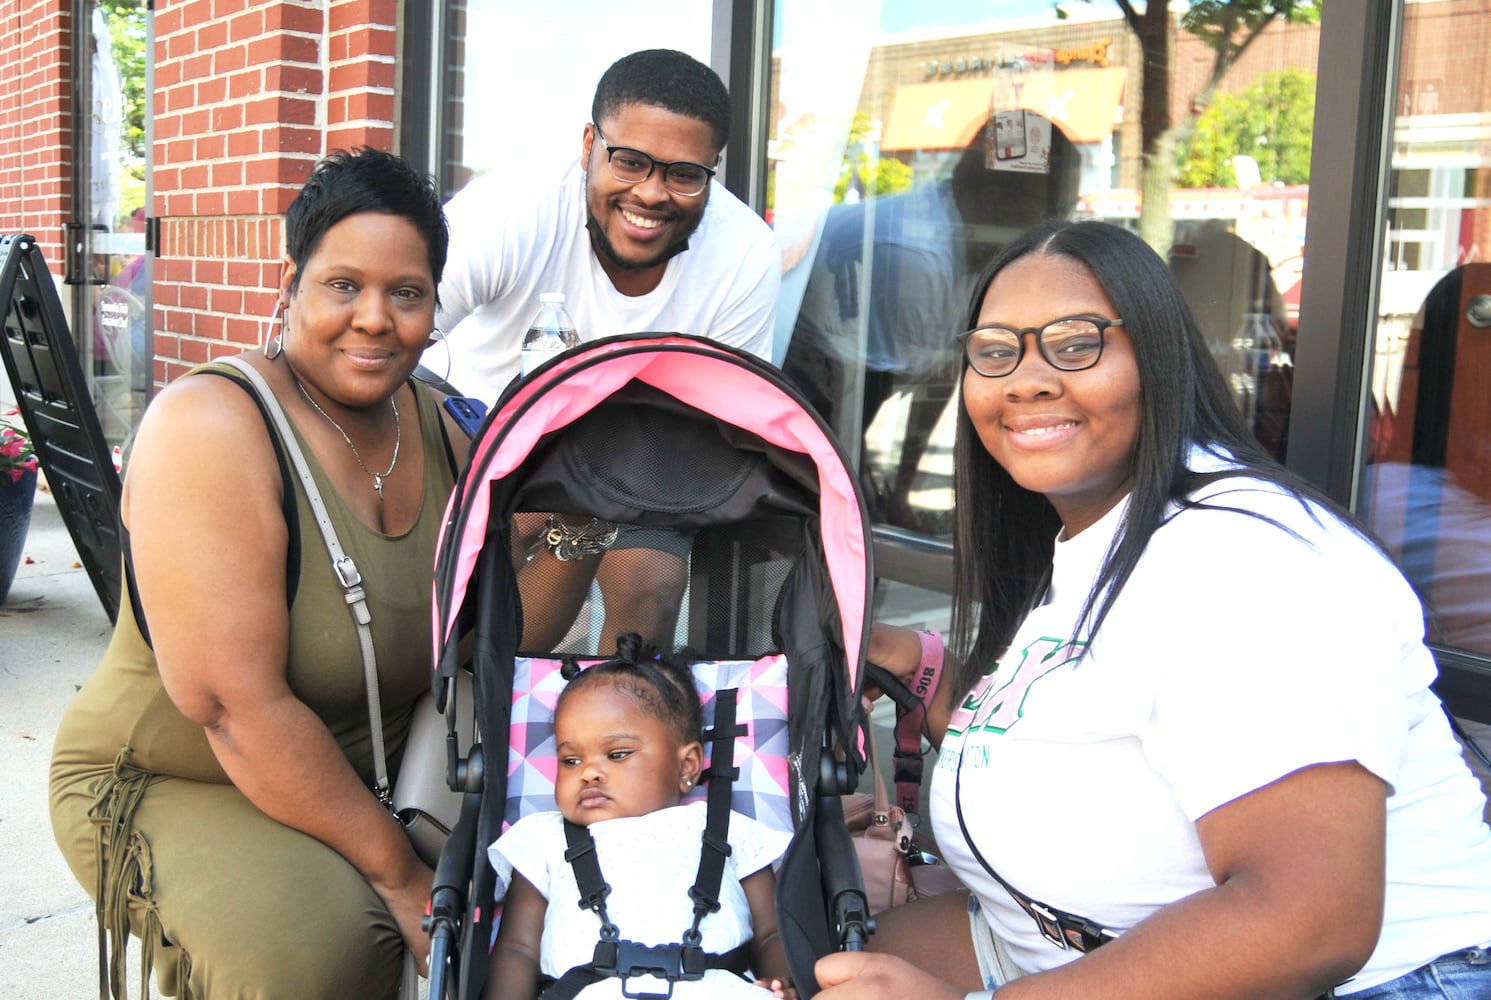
53, 634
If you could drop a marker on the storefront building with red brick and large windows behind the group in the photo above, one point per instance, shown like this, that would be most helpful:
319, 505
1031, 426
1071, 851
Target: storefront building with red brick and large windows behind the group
1325, 296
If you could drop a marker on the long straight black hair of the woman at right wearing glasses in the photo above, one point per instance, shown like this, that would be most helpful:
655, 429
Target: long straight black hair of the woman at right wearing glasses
1004, 536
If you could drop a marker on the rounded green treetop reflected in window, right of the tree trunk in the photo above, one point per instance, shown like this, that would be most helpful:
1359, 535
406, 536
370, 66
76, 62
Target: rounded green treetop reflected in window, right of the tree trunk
1271, 121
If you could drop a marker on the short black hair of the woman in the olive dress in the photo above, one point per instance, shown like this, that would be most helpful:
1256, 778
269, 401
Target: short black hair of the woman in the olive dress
351, 183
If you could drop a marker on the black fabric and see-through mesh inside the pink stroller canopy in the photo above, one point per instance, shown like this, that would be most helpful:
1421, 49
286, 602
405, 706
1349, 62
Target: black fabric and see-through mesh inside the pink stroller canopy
651, 466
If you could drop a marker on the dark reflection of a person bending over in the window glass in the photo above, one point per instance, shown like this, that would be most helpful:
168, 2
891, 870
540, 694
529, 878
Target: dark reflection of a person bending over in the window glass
889, 285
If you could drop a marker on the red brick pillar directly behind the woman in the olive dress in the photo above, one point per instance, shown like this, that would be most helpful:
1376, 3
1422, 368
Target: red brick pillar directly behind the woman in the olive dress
248, 96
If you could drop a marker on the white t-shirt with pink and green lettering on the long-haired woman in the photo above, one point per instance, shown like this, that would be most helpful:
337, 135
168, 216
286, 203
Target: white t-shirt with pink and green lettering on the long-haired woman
1234, 656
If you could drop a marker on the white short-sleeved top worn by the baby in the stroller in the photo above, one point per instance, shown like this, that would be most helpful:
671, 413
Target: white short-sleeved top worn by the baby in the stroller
651, 864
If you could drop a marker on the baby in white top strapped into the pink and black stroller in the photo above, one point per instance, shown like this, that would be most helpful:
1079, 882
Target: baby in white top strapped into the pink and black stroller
633, 883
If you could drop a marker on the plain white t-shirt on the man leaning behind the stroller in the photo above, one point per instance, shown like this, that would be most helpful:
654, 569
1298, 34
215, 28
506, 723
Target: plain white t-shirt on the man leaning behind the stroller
512, 241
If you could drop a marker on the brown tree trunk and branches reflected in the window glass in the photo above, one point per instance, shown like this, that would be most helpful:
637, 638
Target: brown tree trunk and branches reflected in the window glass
1228, 28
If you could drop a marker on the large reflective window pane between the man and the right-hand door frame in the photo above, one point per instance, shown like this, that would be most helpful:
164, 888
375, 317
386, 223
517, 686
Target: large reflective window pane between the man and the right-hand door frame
928, 135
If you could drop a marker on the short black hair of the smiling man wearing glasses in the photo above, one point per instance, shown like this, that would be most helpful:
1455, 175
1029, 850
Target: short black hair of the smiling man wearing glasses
669, 80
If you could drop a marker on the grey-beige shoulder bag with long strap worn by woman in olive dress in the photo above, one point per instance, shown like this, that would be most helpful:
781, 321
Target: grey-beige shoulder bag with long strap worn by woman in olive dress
424, 803
